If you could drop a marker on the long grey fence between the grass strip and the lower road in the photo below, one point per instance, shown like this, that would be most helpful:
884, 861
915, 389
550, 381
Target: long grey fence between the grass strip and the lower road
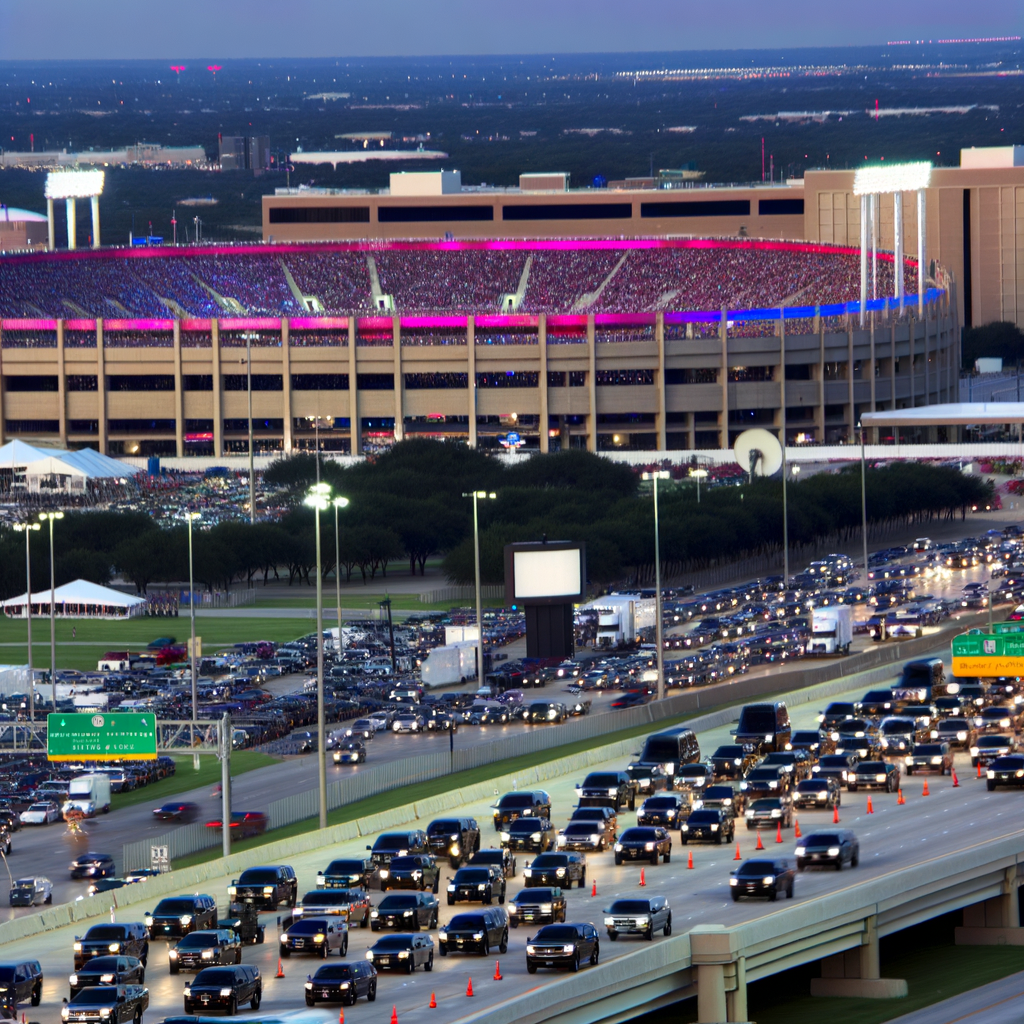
370, 782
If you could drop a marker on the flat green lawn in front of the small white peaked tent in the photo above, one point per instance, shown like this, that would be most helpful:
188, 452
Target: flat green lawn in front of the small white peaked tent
96, 636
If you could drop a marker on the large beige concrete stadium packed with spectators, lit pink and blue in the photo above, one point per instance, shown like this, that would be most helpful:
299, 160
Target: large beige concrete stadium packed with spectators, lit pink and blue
645, 345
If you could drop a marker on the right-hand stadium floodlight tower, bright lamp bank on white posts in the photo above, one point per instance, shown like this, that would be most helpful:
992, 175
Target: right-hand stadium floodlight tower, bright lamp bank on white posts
870, 184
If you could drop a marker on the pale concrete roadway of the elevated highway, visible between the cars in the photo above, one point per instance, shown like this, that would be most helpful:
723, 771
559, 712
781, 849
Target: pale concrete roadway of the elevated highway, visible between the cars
893, 837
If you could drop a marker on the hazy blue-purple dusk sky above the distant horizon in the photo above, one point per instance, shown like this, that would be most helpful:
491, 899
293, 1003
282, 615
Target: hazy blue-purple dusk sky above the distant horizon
185, 29
